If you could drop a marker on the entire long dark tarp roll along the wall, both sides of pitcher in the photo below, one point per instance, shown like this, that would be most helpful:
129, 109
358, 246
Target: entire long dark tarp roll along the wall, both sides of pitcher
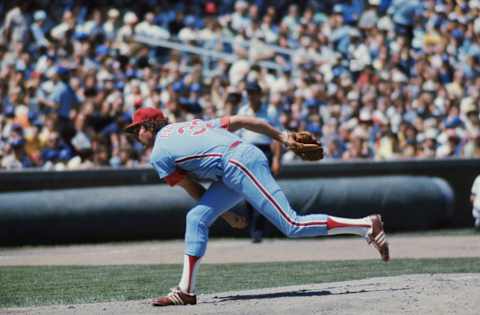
158, 211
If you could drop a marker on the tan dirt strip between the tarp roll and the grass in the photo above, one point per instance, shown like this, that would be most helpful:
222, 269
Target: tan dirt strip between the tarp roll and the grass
242, 251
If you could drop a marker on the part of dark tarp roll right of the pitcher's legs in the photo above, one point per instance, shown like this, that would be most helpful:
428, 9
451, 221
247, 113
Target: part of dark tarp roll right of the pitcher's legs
405, 202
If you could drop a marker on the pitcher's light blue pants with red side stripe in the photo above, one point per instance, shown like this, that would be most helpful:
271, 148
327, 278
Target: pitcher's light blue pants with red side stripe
247, 176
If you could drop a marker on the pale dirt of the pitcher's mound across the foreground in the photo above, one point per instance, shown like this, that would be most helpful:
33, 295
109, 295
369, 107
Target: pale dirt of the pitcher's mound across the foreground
411, 294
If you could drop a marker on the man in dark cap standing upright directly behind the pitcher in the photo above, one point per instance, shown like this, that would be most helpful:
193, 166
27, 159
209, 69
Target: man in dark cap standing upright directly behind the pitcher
272, 149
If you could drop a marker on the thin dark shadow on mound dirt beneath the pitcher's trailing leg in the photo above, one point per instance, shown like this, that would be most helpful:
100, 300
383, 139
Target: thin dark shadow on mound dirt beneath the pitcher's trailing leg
298, 293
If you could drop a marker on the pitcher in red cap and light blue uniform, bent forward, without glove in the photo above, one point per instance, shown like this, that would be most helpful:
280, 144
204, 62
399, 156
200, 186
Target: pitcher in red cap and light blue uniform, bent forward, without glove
208, 150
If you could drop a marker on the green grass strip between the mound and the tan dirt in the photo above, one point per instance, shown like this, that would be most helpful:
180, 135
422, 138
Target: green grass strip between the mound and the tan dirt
27, 286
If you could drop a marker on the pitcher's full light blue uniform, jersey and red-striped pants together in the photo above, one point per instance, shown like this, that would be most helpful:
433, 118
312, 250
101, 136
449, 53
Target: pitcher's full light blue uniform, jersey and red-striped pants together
207, 150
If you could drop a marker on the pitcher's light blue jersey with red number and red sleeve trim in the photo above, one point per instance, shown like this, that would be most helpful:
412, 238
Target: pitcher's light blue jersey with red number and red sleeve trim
196, 147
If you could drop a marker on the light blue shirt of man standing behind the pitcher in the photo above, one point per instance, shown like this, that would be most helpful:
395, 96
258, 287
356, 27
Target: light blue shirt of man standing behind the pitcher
266, 113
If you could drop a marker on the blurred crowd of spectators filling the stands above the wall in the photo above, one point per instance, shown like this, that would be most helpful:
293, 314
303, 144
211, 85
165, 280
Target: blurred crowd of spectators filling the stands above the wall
373, 79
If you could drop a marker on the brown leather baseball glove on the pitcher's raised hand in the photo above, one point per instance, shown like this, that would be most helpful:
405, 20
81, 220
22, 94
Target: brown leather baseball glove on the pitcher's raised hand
305, 145
